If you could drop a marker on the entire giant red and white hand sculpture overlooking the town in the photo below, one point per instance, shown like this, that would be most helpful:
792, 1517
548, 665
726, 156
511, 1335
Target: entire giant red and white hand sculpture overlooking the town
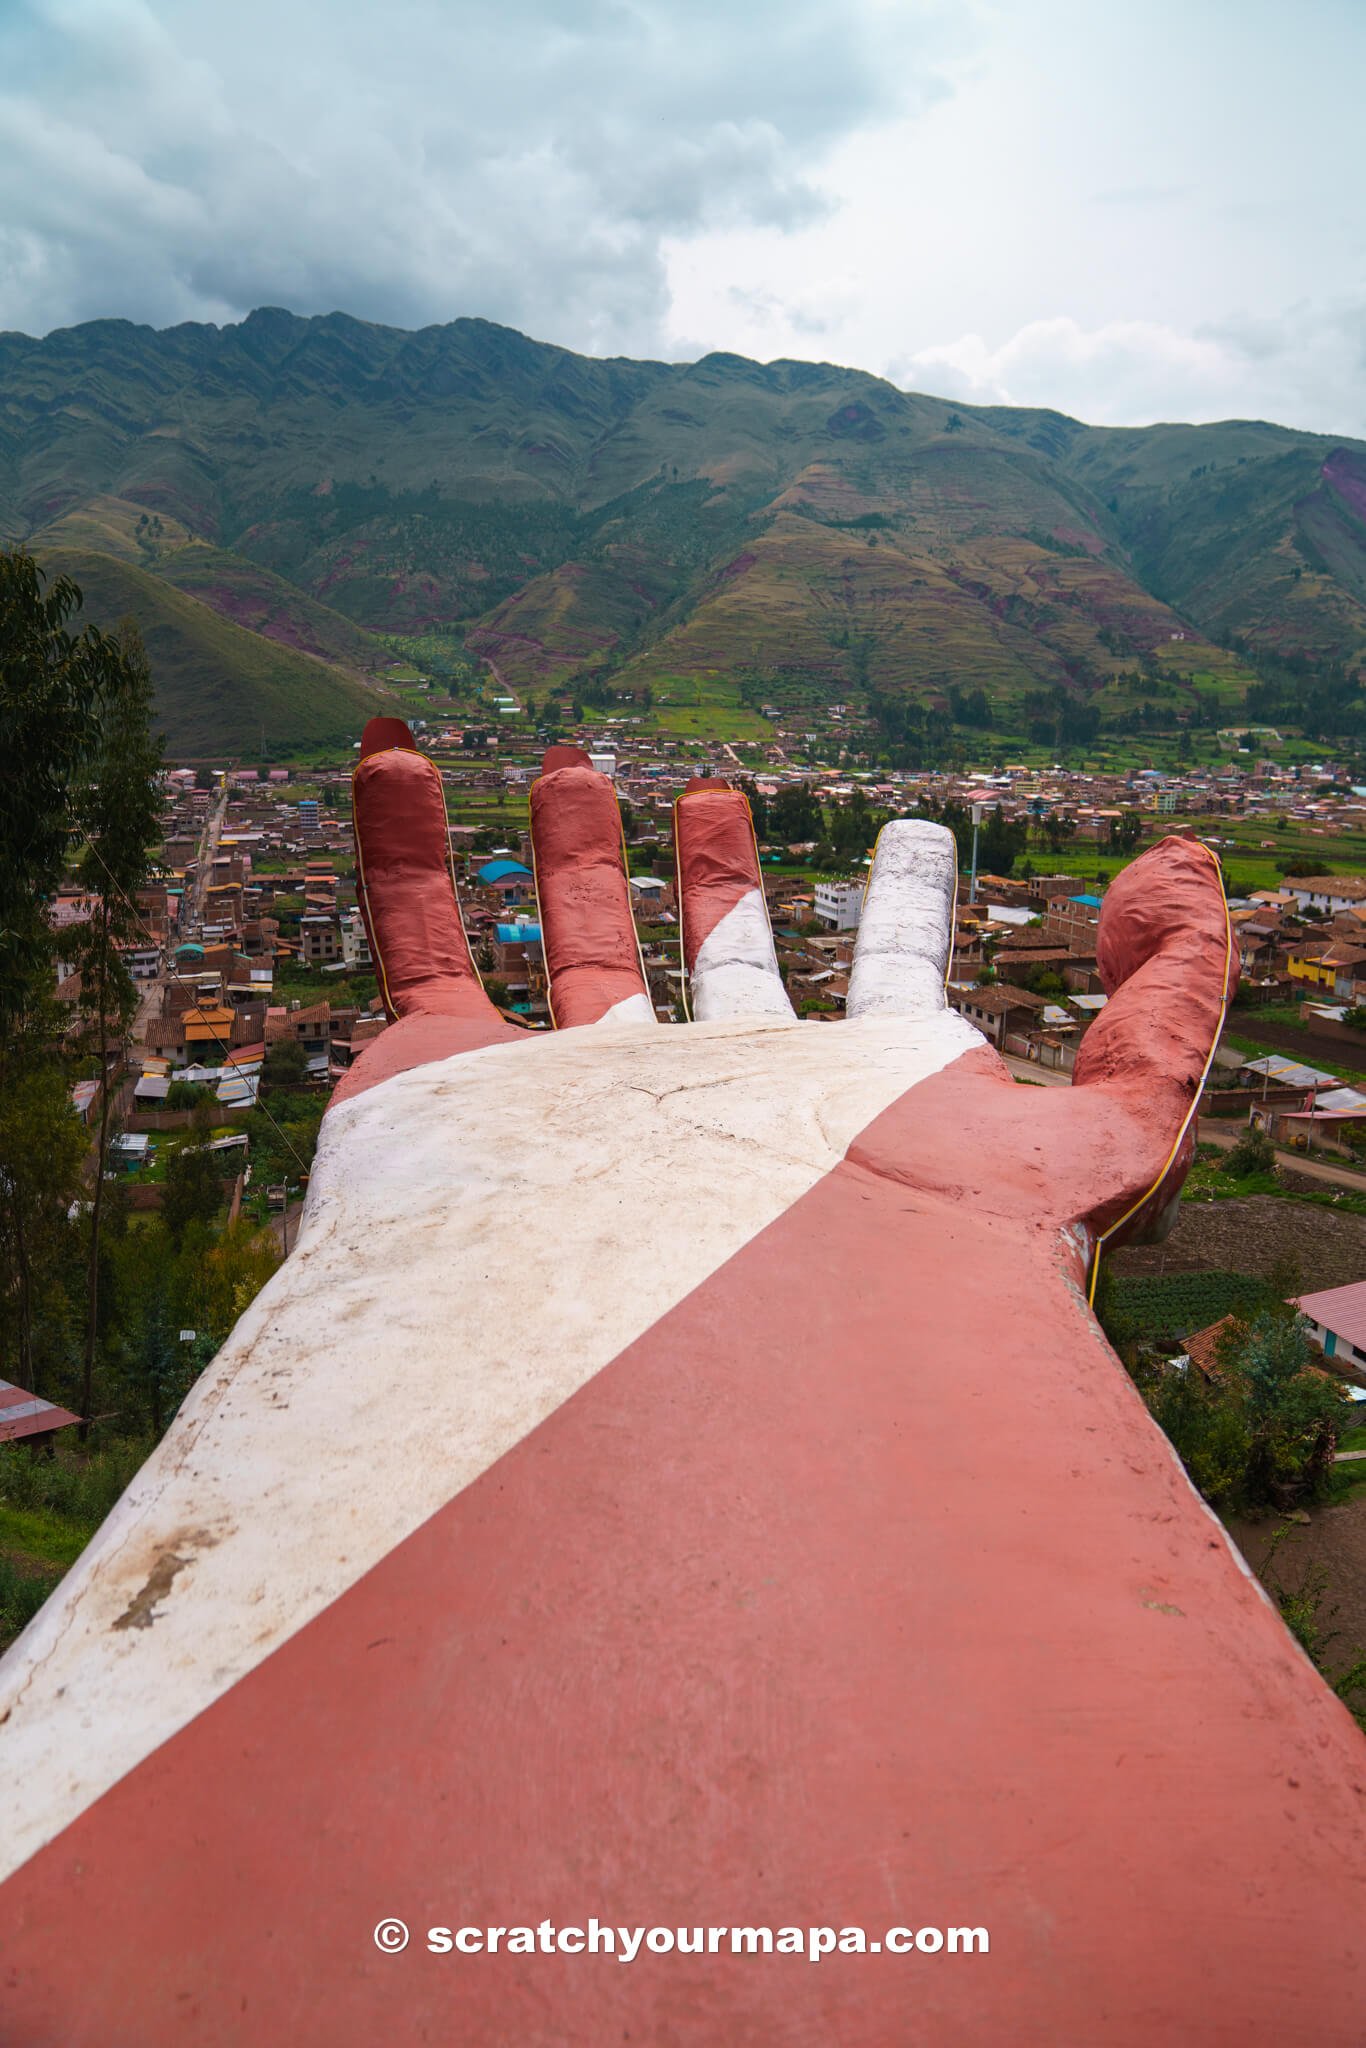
679, 1482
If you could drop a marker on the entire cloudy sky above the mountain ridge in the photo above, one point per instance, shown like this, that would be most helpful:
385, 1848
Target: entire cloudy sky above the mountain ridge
1129, 210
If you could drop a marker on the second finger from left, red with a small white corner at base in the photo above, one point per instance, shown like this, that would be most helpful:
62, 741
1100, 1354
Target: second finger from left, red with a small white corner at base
587, 925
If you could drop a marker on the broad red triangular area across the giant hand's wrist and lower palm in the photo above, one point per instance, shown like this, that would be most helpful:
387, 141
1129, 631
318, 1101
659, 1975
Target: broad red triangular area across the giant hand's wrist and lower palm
859, 1592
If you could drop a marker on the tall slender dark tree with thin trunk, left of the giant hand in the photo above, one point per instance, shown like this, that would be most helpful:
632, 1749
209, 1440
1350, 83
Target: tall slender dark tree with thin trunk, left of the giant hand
120, 812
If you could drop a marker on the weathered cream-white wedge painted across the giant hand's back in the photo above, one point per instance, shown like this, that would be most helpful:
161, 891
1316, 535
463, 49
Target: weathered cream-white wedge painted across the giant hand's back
482, 1236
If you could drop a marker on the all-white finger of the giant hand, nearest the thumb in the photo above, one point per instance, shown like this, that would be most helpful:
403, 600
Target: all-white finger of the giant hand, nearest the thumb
908, 921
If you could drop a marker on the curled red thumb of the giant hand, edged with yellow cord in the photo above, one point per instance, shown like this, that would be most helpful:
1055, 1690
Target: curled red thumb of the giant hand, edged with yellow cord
1168, 964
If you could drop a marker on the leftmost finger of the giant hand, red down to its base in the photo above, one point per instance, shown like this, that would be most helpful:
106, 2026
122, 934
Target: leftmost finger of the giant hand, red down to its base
407, 886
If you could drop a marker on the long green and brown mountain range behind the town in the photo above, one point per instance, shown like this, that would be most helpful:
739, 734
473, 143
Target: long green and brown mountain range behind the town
716, 531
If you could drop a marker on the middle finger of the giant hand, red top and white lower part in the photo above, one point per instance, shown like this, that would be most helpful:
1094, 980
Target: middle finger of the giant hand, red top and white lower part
726, 935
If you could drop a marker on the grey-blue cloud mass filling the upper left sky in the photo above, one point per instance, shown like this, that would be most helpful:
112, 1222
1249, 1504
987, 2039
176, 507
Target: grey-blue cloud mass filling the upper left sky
521, 159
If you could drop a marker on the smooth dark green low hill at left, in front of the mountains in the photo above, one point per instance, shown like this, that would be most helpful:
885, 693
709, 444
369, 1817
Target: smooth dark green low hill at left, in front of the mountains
218, 687
